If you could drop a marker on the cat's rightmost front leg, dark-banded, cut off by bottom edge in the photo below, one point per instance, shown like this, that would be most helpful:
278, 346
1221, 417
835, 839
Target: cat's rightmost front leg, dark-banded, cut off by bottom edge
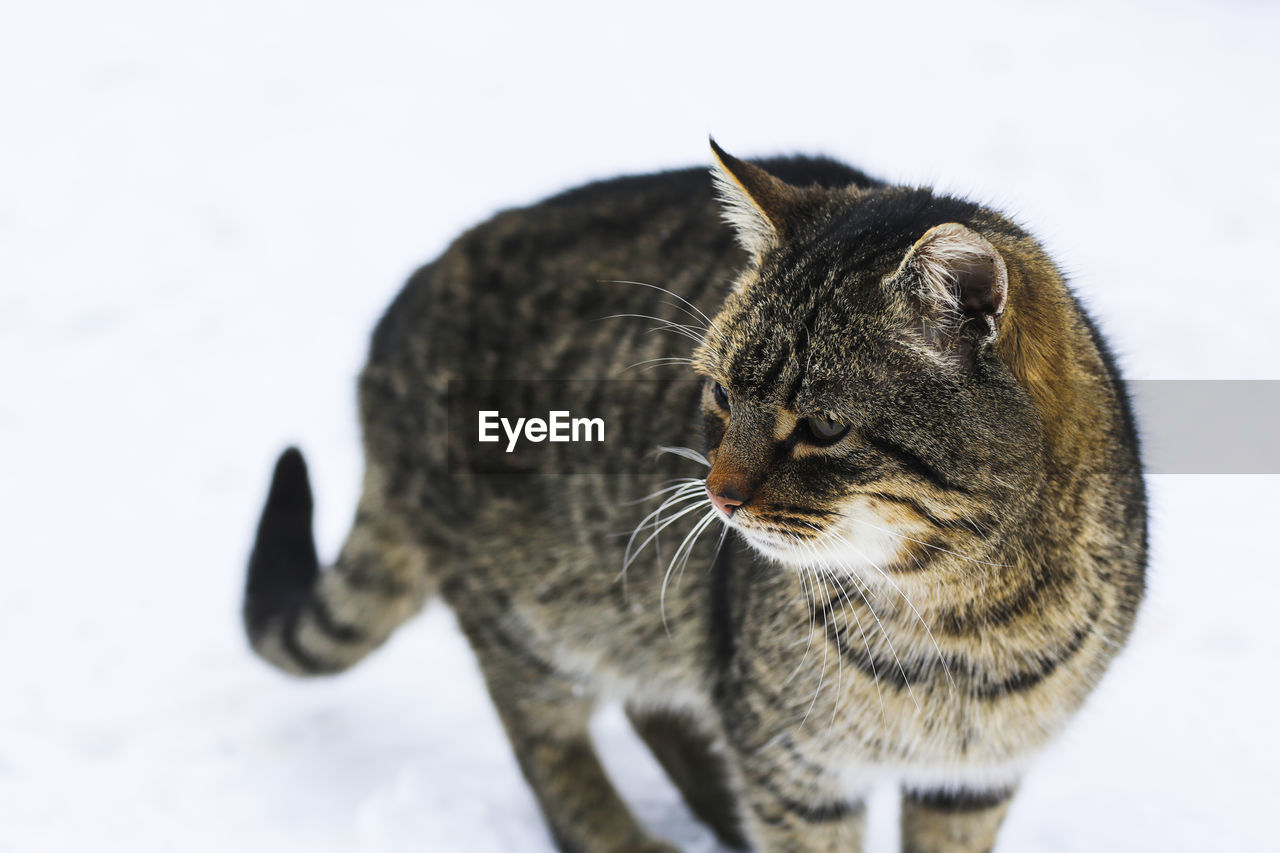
953, 823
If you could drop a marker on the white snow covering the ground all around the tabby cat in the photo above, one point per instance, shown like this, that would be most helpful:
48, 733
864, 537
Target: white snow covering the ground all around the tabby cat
205, 207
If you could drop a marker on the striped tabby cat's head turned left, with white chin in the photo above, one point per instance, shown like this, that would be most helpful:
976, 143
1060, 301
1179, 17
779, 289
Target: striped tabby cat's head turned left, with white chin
857, 409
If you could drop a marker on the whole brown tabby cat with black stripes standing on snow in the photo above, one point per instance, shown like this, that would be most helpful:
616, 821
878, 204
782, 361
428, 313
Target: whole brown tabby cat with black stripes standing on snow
895, 524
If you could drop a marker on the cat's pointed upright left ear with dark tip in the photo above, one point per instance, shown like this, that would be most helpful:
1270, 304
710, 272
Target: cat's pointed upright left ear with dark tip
756, 203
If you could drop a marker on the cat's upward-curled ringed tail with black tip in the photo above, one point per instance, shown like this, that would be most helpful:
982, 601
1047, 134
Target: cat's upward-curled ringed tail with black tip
308, 622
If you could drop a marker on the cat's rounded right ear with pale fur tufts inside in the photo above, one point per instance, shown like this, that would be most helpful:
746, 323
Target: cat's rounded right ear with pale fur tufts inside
961, 285
